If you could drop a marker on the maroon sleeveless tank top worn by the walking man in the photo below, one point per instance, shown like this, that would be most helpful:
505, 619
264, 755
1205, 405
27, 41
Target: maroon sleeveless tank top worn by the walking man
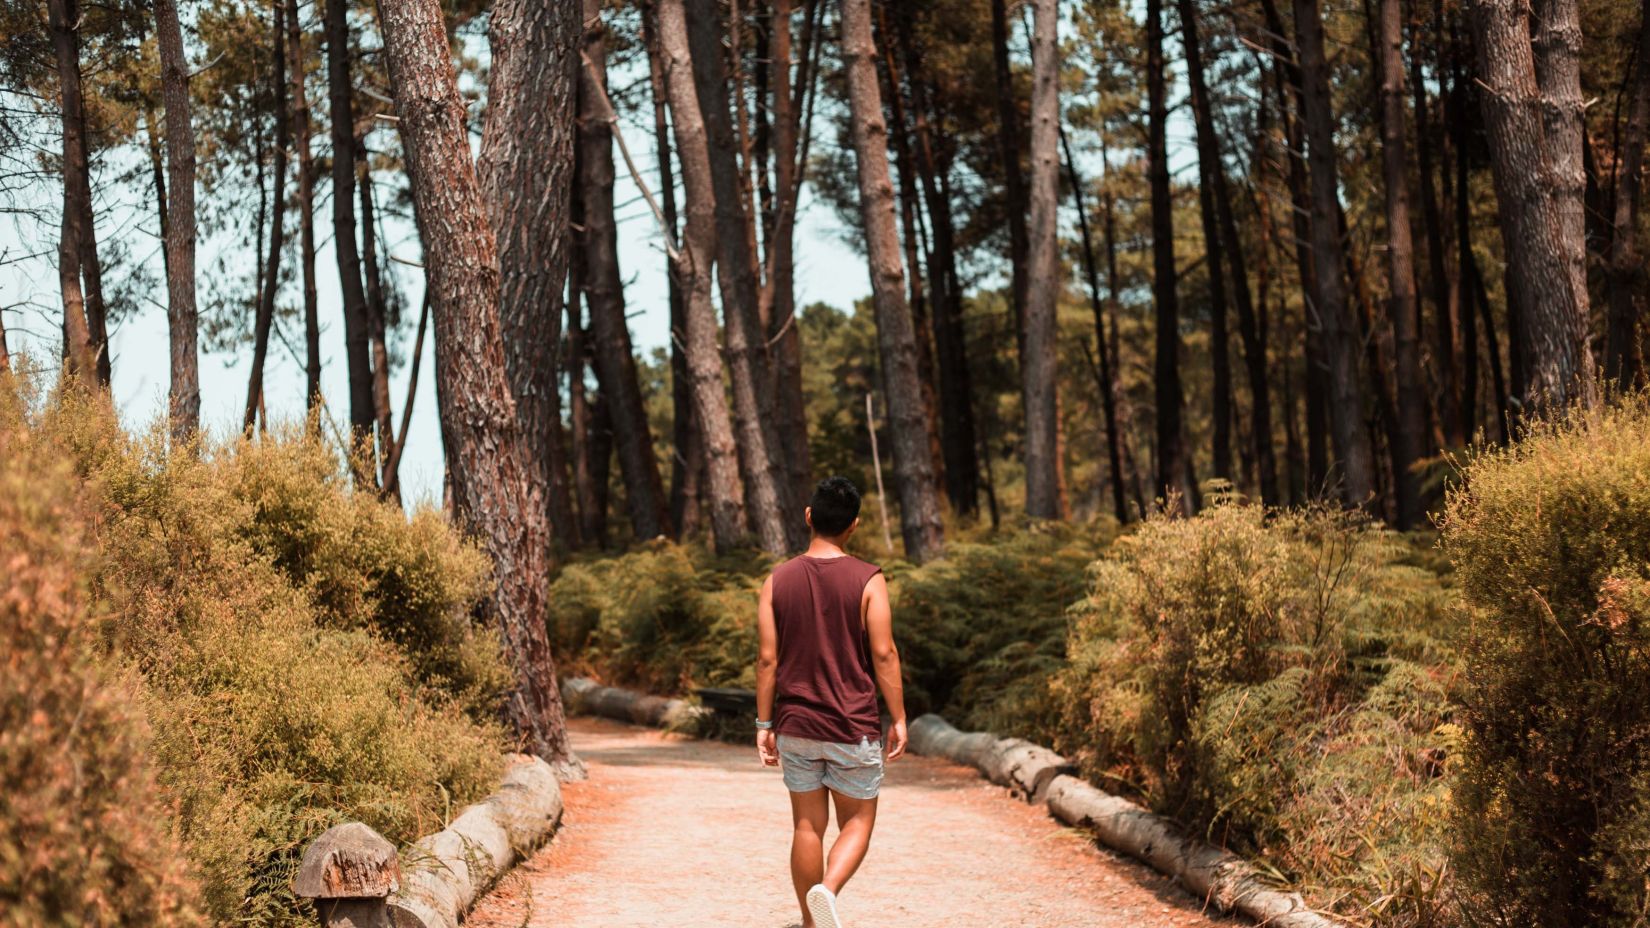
826, 688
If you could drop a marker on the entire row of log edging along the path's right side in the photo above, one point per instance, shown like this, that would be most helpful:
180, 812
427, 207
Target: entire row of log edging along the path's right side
1040, 775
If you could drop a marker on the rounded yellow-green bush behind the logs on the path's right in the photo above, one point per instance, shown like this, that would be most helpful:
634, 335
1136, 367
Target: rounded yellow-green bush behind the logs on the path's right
1261, 678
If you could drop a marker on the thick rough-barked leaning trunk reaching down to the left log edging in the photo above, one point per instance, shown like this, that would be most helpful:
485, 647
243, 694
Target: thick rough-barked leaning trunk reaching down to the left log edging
491, 466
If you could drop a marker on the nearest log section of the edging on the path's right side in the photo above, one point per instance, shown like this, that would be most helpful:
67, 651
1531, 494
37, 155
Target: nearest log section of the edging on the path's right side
1209, 873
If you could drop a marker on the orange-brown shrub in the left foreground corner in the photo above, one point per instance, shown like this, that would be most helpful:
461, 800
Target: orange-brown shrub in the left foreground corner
83, 830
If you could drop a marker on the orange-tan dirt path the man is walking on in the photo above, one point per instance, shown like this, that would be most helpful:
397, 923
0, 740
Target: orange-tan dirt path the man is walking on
681, 833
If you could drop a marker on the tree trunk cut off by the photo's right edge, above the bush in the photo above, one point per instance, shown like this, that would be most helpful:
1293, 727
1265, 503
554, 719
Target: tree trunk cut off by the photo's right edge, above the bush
1624, 351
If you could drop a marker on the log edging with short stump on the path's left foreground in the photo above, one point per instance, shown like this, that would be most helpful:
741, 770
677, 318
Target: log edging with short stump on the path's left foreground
357, 879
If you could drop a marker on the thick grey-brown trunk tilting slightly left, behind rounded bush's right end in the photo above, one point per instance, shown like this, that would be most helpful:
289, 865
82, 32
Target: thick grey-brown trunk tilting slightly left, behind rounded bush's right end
1339, 329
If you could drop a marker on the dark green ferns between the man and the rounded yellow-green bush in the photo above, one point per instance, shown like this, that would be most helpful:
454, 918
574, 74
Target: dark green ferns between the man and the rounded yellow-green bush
983, 630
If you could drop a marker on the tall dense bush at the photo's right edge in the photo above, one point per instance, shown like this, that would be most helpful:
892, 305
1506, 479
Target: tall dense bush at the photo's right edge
1552, 549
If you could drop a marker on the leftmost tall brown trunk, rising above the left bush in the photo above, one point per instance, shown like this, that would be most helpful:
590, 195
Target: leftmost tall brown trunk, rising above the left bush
78, 348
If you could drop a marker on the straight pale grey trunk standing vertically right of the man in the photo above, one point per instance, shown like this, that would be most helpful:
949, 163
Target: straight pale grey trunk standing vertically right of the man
1039, 372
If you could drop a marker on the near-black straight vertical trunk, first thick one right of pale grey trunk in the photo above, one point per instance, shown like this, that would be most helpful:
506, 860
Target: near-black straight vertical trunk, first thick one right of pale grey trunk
1172, 463
